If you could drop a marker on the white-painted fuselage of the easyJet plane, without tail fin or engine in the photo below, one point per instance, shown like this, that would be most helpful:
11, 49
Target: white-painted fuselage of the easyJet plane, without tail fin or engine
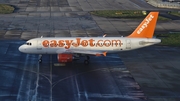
125, 44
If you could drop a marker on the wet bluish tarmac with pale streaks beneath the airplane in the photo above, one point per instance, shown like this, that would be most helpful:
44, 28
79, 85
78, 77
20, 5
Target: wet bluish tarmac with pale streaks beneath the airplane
24, 79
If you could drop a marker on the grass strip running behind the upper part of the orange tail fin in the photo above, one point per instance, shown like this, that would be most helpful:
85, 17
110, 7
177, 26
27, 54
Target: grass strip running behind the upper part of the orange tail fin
122, 14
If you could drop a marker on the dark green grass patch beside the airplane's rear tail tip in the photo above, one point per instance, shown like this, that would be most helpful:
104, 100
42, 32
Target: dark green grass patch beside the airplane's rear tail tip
170, 39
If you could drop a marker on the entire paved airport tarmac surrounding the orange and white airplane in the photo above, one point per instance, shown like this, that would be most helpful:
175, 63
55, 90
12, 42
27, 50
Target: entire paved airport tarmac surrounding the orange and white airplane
146, 74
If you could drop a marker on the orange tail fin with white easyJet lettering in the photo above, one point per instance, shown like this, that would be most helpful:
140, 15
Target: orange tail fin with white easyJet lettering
147, 27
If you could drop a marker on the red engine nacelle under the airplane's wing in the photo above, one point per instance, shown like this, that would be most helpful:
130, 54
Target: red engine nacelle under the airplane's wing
63, 58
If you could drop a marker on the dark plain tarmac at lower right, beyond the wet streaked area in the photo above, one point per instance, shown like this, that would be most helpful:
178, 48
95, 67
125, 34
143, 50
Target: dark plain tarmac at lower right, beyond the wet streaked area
156, 69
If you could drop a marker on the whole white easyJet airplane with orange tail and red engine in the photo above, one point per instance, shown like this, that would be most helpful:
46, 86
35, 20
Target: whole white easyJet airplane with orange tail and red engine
70, 48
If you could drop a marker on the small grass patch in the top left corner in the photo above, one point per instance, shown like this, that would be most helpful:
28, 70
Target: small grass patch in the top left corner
6, 9
